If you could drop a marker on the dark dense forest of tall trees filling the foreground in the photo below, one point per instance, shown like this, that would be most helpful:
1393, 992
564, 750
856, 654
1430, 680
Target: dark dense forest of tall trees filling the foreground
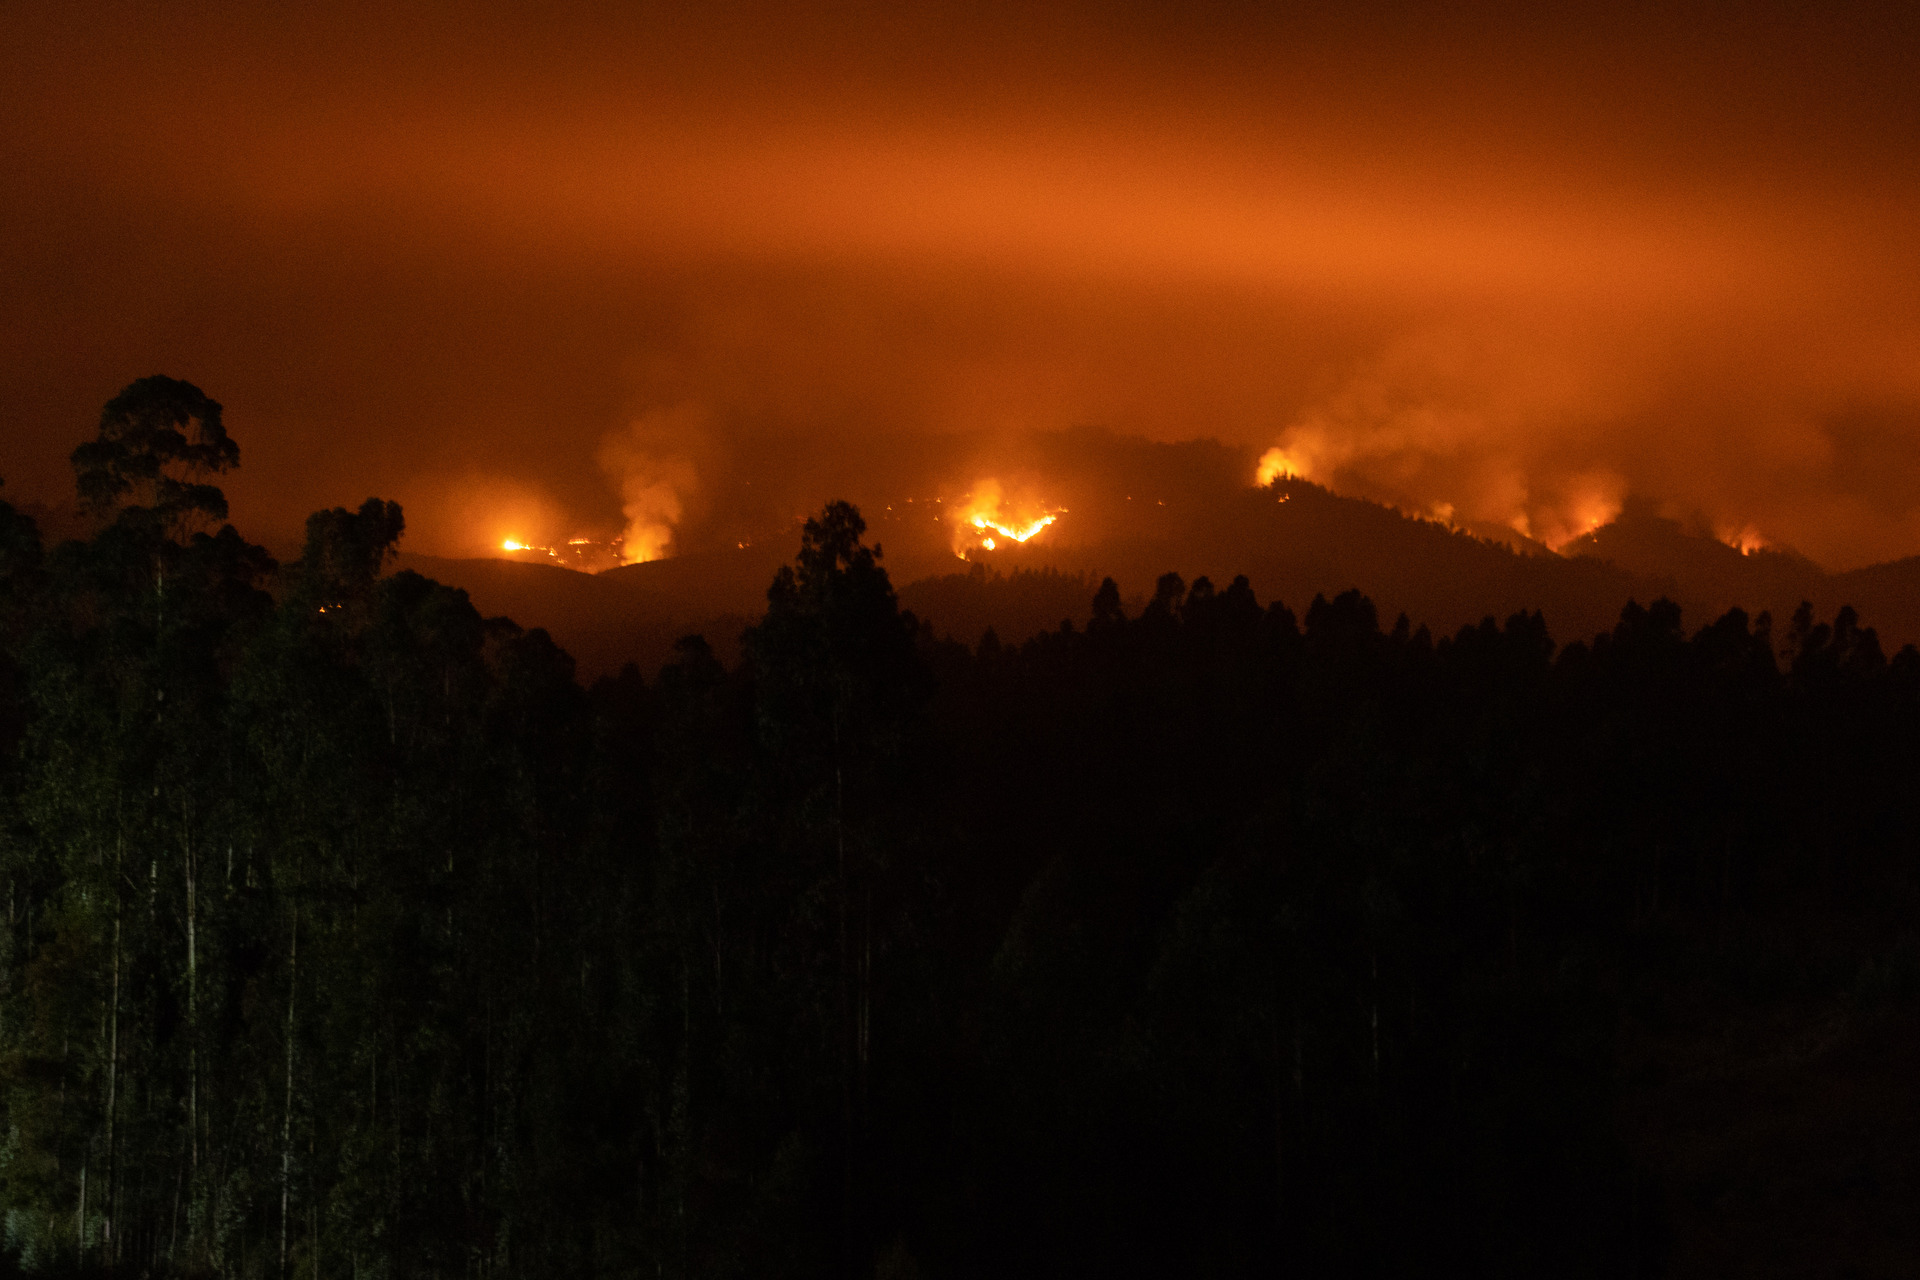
350, 936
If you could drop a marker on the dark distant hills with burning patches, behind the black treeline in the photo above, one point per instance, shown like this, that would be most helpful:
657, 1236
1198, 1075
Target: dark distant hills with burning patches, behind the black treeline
1293, 542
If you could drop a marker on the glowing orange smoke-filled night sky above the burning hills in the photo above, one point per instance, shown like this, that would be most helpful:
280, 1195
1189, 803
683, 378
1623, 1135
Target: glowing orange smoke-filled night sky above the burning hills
531, 266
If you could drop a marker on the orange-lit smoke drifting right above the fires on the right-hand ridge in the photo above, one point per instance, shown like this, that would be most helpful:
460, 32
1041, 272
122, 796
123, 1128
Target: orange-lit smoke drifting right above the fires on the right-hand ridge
1548, 429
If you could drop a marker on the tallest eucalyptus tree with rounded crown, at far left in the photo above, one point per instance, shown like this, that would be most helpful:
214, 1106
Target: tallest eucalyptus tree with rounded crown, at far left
122, 792
